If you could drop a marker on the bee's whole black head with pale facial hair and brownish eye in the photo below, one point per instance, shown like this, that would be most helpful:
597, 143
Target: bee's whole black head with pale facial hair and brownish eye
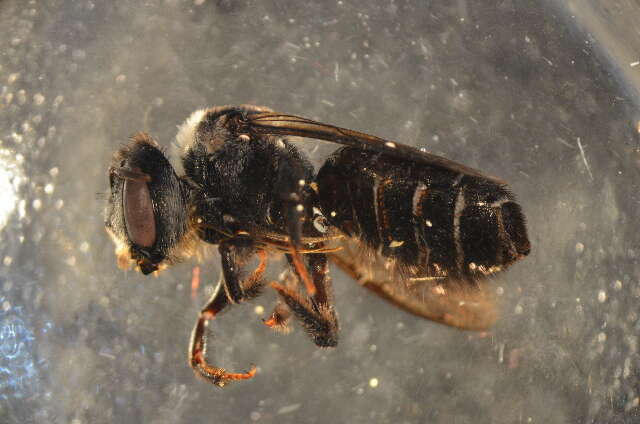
147, 215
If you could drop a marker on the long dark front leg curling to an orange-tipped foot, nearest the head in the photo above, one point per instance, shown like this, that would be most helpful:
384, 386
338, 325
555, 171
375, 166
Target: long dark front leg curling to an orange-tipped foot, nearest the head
230, 289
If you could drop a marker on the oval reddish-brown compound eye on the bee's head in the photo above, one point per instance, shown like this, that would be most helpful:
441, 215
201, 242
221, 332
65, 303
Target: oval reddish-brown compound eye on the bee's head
138, 211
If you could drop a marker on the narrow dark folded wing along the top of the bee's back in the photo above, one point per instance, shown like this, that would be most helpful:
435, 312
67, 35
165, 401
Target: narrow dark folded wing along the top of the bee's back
290, 125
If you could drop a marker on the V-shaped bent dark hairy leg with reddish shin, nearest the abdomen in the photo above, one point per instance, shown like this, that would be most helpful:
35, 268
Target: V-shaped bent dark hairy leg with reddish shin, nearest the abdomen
316, 313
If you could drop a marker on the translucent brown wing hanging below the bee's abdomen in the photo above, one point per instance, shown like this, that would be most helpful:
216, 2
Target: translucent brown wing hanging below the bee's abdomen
461, 304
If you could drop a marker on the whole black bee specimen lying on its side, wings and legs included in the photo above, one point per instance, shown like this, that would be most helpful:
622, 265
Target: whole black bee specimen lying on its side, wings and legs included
420, 231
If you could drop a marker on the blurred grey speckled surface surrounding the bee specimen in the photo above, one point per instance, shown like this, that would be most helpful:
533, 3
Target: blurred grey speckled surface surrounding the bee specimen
543, 94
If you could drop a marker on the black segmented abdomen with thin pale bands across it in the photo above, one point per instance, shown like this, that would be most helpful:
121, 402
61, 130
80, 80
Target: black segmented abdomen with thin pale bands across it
435, 221
